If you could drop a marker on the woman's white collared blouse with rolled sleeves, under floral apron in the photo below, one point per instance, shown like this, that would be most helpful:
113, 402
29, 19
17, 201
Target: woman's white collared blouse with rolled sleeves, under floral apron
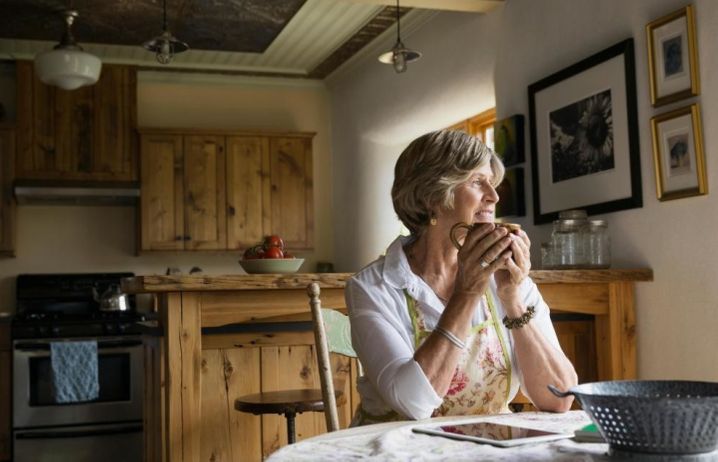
382, 333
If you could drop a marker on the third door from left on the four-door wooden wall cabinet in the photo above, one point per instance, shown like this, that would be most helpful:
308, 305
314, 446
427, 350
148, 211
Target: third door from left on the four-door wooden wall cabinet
247, 165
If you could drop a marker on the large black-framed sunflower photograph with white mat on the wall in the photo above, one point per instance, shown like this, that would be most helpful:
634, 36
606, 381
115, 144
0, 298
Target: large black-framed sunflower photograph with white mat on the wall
584, 136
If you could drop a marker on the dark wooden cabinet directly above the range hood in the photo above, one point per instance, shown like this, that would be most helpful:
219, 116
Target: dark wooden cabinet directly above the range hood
86, 134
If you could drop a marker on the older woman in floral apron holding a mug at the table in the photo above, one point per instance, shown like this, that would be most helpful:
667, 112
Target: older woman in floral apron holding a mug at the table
447, 332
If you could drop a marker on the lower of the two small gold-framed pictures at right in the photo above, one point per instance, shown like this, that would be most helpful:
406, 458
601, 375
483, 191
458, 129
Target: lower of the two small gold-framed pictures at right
678, 154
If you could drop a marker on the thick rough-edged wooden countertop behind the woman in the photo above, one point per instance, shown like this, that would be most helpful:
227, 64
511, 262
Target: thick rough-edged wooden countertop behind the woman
160, 283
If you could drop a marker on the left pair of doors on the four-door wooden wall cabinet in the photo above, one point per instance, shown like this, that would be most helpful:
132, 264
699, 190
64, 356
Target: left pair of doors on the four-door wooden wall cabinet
182, 203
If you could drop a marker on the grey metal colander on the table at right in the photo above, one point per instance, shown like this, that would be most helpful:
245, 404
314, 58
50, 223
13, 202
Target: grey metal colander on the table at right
652, 416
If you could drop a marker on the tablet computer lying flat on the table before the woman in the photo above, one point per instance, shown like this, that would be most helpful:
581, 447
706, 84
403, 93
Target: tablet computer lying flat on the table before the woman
492, 433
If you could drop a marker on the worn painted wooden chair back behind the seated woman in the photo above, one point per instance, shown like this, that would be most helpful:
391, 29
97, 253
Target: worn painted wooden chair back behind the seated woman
332, 333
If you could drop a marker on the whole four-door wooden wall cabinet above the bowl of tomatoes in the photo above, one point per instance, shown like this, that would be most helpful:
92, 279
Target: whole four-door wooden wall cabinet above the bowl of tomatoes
260, 184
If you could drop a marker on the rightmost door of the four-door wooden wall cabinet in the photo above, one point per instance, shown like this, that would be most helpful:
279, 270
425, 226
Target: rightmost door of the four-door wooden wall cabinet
290, 202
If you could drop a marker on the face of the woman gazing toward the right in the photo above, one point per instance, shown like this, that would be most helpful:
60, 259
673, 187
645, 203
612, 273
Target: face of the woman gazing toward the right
475, 200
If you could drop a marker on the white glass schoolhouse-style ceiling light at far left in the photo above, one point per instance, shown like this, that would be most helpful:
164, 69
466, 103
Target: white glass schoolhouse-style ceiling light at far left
67, 66
